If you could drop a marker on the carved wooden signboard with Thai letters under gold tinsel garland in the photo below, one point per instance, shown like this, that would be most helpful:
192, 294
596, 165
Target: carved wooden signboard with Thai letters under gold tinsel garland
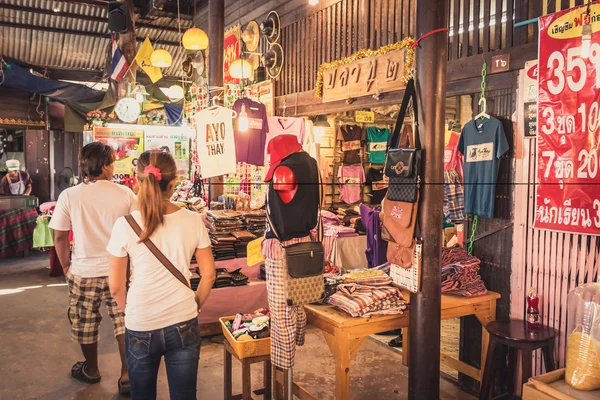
367, 76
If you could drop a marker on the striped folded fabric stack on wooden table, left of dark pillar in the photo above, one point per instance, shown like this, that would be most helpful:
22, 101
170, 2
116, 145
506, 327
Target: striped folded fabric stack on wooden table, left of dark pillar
368, 301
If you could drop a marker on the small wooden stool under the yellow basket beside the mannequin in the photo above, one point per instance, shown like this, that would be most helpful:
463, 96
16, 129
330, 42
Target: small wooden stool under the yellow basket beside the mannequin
246, 380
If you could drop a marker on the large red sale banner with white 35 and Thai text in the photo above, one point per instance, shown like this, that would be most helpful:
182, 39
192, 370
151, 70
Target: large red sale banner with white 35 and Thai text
568, 189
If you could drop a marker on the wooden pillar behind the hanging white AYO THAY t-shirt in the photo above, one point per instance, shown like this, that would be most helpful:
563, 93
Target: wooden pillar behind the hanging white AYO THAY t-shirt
216, 35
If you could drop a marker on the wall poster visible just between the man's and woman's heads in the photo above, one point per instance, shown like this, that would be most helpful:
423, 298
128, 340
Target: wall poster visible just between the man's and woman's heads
128, 144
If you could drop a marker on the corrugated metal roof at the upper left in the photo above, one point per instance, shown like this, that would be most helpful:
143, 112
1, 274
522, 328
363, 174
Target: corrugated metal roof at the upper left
73, 50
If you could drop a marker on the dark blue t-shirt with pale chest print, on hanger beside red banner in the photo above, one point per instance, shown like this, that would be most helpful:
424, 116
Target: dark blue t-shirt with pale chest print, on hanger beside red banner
482, 143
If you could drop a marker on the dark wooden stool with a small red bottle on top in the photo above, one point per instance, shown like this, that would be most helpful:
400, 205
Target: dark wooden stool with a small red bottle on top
515, 337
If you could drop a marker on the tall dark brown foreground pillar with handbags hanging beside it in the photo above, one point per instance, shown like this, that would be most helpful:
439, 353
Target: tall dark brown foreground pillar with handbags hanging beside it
425, 307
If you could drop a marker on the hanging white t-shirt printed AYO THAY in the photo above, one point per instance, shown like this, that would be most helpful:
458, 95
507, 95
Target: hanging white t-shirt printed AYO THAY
215, 141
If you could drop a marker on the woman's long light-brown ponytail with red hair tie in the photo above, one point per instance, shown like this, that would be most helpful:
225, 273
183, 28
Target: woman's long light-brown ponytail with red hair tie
155, 172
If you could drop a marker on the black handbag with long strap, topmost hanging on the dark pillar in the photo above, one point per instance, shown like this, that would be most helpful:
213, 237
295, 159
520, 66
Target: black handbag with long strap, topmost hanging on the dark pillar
402, 165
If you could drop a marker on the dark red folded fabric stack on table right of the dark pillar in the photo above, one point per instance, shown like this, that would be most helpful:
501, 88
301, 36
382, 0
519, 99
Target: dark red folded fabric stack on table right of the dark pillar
460, 273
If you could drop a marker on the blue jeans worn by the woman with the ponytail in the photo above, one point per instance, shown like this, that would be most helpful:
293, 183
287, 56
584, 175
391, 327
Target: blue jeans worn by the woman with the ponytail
179, 344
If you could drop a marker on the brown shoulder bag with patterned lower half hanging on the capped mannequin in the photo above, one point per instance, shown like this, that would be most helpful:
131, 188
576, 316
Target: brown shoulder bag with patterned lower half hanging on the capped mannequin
303, 265
